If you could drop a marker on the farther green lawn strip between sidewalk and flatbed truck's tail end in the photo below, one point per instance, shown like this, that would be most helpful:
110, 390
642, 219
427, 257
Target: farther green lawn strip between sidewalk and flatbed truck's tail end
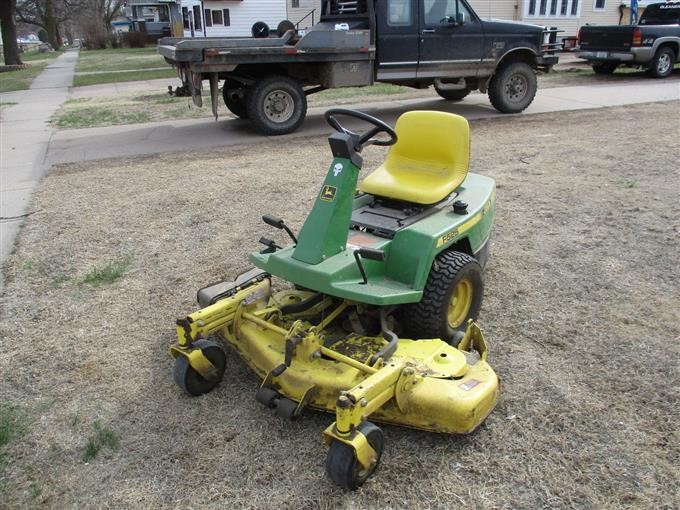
119, 59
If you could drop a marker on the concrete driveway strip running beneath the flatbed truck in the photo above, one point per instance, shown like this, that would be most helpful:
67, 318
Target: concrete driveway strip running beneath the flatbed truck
139, 139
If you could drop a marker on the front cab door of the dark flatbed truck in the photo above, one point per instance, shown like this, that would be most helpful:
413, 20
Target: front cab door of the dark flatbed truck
450, 39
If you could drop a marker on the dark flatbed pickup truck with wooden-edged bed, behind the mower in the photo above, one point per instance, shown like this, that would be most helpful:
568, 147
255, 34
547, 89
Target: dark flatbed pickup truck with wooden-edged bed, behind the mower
416, 43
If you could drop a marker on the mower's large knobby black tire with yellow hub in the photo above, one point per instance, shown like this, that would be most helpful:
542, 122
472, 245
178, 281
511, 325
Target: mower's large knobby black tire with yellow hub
452, 295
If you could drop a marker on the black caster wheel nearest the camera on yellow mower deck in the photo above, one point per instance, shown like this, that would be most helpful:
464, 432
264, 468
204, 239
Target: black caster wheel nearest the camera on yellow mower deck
341, 463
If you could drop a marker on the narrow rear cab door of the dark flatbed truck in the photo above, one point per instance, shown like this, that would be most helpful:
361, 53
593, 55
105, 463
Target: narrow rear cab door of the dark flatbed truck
397, 39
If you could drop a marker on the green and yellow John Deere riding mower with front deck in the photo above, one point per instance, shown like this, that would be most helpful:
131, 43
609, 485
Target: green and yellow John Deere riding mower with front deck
385, 284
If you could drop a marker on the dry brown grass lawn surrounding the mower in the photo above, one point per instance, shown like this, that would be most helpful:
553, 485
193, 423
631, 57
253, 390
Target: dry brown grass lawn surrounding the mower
581, 314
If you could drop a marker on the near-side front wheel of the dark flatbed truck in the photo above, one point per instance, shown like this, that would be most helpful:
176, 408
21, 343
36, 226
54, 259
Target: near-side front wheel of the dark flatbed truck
513, 87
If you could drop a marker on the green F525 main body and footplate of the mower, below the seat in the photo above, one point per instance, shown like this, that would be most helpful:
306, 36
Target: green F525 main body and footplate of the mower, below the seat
401, 277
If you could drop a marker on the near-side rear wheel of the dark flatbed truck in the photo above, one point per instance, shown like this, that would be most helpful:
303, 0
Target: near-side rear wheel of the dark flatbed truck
276, 105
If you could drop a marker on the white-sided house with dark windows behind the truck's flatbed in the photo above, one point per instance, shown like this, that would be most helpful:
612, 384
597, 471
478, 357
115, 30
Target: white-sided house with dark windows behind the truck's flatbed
229, 18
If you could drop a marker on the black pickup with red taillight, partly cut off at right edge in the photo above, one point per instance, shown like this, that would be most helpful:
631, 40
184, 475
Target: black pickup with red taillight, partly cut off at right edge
654, 43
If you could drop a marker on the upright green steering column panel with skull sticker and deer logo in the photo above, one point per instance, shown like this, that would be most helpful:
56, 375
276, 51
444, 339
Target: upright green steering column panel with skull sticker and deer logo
324, 233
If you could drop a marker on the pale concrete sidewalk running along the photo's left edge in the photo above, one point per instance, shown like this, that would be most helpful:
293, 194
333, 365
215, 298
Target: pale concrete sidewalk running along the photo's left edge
24, 136
